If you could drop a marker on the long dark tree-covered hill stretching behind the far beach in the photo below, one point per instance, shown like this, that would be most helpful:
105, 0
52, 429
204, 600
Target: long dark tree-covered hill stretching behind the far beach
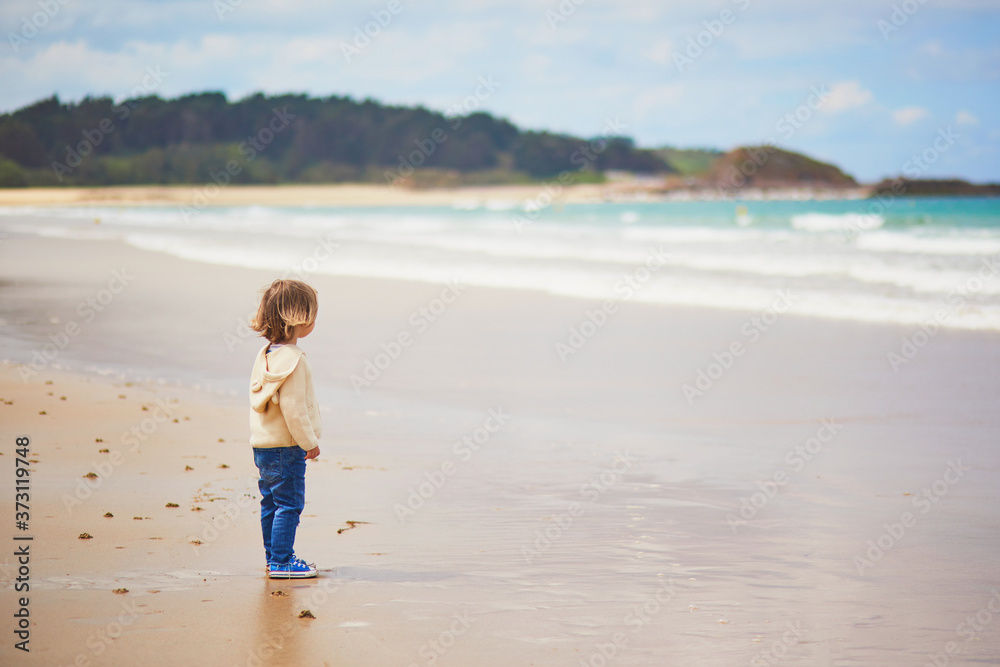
290, 138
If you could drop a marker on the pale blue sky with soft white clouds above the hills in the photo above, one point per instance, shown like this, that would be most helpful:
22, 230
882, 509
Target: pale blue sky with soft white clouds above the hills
878, 87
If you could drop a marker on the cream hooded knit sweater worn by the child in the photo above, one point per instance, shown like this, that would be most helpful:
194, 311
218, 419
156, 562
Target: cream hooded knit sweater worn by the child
283, 405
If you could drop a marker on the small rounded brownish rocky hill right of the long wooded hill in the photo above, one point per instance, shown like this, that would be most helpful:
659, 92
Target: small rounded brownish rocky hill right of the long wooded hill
771, 167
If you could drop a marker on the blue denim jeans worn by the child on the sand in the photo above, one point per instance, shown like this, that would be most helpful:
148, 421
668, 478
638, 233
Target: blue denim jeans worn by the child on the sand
282, 486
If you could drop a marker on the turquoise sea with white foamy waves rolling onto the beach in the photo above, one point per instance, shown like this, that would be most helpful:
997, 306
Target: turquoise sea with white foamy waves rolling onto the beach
902, 261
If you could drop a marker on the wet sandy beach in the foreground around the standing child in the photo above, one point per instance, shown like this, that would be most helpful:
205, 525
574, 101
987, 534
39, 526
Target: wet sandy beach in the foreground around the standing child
486, 499
